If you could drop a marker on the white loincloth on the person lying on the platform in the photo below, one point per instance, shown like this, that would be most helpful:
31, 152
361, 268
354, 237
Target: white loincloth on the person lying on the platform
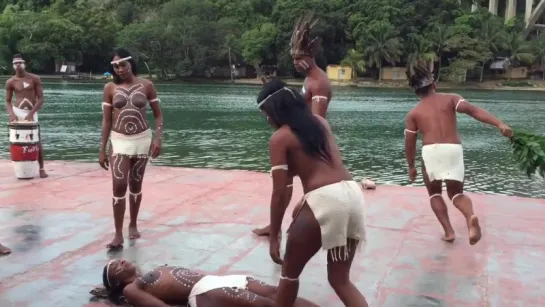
212, 282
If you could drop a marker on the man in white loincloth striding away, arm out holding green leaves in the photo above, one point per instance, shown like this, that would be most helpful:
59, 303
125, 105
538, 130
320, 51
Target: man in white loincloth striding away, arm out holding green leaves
442, 154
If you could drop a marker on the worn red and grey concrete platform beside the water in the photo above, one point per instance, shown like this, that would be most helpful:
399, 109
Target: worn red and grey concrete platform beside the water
58, 228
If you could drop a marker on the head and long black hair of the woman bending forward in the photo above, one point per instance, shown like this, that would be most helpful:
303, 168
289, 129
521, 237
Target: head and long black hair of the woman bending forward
284, 106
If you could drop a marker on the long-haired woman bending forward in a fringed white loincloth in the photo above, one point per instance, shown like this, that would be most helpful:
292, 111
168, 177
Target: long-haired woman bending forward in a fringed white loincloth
332, 214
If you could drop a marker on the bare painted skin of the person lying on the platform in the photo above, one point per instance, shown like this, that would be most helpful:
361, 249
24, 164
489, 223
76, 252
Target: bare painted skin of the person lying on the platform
159, 288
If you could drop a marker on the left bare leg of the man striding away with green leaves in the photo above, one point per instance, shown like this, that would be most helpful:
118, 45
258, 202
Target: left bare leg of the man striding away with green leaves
435, 190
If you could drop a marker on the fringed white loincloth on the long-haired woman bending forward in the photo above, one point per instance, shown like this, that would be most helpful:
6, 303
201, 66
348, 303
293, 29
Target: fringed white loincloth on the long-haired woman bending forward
339, 208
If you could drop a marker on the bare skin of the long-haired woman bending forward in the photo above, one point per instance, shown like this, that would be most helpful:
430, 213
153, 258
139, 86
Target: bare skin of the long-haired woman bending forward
304, 238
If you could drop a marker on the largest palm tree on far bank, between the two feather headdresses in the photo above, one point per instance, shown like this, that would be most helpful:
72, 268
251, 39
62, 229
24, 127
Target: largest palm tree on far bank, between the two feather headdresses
382, 43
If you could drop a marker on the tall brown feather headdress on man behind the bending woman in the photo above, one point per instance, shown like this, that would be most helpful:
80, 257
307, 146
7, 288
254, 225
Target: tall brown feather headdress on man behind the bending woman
301, 44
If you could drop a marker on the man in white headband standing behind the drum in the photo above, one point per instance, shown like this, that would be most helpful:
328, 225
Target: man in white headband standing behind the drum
29, 98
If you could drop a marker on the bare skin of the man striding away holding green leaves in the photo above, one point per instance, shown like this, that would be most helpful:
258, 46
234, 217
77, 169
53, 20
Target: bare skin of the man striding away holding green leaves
435, 118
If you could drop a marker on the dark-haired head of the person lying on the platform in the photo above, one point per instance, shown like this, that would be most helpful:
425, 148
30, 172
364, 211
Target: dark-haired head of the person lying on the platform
116, 275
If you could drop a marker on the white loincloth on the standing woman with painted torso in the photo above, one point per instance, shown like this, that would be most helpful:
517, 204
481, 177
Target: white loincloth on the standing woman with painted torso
136, 145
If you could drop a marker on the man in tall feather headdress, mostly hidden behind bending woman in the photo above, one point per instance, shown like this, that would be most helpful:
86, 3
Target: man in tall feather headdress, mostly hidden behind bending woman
316, 87
